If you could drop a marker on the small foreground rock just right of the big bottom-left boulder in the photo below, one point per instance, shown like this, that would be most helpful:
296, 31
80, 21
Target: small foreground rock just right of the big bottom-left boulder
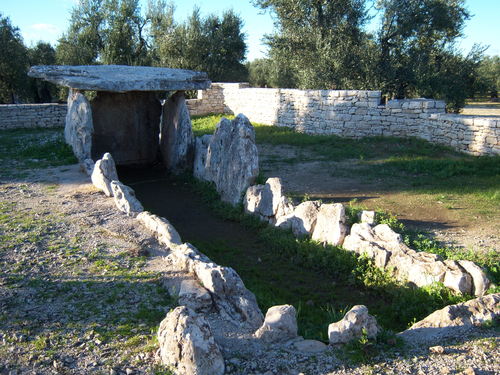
279, 325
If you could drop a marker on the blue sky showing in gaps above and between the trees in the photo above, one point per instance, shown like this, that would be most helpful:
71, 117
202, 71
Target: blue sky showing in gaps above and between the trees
47, 19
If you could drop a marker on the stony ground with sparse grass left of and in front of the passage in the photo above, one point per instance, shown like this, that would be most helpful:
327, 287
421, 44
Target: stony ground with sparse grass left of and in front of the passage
80, 293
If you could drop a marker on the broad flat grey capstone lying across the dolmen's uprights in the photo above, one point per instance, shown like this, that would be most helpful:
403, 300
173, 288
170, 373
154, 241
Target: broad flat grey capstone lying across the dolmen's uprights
121, 78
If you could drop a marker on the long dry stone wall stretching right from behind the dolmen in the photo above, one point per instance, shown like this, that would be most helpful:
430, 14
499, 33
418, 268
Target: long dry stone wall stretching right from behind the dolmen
352, 114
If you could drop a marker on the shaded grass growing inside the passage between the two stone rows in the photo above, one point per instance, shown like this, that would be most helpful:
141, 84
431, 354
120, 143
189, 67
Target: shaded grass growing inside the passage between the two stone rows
283, 272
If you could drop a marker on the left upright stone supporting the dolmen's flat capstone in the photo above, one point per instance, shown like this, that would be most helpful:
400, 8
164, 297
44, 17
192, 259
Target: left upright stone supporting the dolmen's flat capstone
79, 127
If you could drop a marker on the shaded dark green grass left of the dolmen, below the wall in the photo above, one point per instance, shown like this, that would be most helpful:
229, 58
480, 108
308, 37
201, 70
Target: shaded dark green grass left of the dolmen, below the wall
23, 149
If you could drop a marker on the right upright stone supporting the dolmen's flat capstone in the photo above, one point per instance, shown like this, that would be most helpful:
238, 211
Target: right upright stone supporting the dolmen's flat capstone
176, 140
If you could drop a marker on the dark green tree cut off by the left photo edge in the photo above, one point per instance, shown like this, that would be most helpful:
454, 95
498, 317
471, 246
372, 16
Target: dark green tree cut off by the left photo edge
13, 63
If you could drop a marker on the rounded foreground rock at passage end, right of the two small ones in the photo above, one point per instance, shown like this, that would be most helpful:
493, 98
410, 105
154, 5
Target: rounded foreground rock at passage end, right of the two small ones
352, 326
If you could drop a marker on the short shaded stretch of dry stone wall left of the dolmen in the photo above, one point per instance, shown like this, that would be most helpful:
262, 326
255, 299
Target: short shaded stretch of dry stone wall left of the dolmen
14, 116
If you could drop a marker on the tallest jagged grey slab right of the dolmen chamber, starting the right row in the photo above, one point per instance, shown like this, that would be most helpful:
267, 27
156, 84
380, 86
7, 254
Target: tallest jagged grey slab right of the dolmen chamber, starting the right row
231, 162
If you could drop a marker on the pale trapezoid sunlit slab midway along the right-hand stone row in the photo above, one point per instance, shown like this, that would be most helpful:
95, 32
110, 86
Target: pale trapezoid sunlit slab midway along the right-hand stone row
330, 225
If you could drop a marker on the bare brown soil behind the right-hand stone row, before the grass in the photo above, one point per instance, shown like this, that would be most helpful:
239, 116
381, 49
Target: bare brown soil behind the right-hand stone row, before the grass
455, 223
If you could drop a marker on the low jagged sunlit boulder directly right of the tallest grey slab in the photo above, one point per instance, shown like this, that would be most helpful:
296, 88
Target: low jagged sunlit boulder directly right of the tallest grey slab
267, 201
